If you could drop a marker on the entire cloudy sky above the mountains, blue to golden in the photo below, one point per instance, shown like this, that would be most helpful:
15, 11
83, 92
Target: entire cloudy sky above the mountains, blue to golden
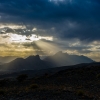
30, 27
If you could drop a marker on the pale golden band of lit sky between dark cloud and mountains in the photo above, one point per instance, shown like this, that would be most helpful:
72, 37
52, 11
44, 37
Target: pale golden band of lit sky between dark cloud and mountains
22, 42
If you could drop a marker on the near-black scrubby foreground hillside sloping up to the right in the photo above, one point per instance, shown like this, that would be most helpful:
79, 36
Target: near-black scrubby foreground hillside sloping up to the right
75, 83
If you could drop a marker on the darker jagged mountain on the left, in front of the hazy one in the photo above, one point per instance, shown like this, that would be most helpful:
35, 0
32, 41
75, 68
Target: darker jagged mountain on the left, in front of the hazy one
30, 63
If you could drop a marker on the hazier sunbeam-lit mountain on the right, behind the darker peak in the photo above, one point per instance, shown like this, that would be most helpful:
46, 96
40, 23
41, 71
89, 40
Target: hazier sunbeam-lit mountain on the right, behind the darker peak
64, 59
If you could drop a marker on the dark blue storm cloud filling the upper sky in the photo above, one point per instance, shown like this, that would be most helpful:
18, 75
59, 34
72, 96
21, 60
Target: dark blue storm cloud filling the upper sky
70, 18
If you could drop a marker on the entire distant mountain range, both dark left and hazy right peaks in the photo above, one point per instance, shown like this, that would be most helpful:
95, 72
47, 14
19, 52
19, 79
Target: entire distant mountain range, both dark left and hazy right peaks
35, 63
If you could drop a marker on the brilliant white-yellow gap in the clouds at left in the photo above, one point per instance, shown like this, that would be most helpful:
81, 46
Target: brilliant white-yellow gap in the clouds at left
10, 38
